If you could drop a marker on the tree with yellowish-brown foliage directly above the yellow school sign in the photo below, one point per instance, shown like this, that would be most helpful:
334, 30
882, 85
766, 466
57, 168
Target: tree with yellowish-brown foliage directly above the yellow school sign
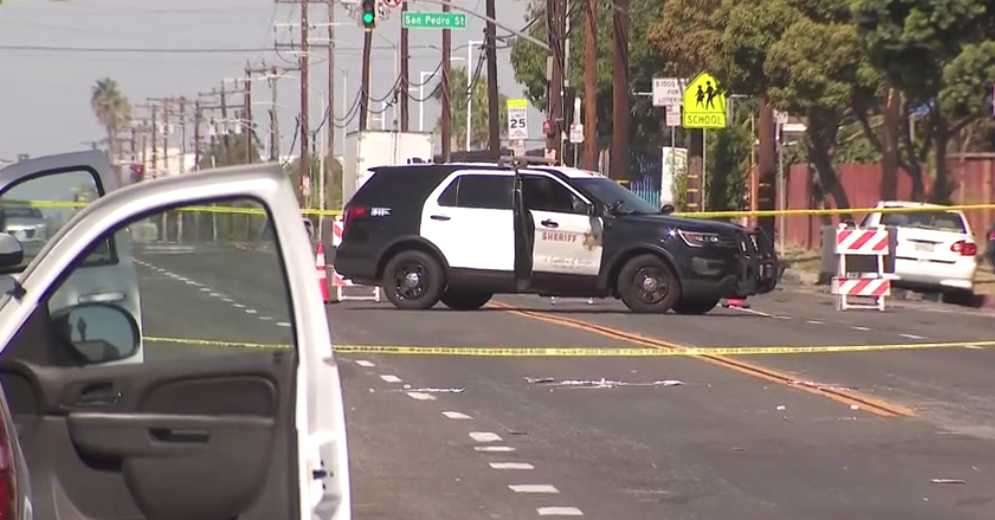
803, 57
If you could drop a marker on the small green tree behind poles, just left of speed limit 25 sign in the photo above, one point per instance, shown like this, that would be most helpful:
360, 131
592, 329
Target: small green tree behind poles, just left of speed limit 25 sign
479, 130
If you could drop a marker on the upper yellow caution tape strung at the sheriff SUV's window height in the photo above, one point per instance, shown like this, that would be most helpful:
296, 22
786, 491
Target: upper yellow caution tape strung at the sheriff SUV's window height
693, 214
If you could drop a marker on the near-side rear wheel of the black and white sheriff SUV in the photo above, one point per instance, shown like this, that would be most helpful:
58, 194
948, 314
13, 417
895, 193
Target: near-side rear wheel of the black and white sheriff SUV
413, 280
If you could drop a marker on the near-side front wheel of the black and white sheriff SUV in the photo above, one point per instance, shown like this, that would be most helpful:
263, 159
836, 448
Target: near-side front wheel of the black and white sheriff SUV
637, 293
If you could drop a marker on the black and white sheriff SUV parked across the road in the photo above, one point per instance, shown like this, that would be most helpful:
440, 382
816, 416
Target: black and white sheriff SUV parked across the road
461, 233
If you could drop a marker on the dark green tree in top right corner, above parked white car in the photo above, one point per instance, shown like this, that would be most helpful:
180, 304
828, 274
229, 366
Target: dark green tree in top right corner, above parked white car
937, 52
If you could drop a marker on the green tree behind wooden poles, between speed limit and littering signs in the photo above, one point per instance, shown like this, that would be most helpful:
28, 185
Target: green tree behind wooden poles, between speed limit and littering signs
529, 63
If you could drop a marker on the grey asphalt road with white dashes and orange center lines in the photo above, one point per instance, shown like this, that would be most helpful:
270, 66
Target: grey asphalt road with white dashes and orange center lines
859, 435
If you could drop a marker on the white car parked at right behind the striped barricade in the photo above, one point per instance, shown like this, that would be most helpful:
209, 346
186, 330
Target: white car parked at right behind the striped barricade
936, 249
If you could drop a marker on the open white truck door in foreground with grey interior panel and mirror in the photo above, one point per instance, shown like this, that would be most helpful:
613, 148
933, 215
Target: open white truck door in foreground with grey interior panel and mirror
248, 433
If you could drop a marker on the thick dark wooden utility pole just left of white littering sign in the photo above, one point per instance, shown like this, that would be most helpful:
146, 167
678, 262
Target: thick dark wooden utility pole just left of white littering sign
620, 91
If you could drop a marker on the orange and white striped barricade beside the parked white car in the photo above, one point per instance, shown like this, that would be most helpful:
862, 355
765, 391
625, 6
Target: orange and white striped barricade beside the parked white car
874, 285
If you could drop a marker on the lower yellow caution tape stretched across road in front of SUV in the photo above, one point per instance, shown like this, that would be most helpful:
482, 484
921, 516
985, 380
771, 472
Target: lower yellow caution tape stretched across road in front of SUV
473, 351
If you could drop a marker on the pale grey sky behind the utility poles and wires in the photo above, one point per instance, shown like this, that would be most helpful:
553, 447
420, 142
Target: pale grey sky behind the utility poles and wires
45, 95
